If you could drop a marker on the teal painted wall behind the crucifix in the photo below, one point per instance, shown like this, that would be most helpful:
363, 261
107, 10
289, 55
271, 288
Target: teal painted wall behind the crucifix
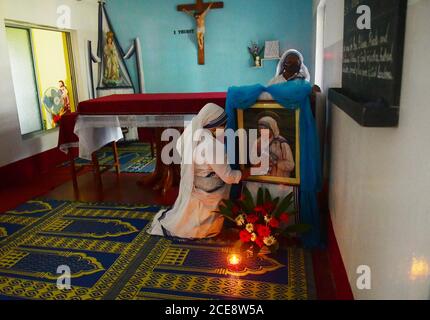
170, 61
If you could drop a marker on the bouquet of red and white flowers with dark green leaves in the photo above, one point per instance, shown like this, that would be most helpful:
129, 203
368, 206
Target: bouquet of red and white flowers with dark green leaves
262, 222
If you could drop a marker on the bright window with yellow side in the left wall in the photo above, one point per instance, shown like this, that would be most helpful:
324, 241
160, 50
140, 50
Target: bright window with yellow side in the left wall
42, 76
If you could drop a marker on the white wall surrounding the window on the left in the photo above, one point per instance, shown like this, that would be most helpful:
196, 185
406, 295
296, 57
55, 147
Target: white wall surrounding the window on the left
40, 12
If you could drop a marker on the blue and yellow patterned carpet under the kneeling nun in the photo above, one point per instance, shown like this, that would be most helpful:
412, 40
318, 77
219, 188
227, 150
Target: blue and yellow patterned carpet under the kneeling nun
112, 257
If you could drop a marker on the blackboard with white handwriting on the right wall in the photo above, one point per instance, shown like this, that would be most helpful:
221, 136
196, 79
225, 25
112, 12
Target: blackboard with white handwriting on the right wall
372, 59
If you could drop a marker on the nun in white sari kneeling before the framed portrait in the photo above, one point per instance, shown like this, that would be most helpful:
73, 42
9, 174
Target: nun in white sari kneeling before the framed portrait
204, 181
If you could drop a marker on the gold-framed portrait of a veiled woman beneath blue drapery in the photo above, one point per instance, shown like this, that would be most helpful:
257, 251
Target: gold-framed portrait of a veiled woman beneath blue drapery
284, 141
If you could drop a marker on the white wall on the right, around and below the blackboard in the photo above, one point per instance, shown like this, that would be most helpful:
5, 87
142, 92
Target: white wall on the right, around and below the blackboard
380, 178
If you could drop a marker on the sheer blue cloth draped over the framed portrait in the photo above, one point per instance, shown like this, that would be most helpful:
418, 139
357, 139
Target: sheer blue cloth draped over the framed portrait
291, 95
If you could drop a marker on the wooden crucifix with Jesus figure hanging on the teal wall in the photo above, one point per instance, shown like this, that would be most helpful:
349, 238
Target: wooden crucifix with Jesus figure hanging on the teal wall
199, 11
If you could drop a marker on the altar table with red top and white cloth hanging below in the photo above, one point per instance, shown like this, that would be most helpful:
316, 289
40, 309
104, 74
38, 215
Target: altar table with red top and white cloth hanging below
99, 121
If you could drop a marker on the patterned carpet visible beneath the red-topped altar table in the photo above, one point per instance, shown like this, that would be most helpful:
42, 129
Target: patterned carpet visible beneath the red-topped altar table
133, 158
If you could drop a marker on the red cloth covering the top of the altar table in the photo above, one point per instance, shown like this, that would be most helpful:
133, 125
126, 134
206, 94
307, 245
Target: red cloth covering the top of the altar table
148, 104
